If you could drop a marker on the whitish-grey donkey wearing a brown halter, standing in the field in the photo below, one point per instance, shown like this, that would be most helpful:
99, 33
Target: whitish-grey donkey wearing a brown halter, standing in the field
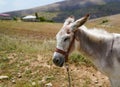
101, 47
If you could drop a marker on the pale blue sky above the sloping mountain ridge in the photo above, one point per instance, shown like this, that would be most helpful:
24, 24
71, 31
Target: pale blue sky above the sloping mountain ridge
12, 5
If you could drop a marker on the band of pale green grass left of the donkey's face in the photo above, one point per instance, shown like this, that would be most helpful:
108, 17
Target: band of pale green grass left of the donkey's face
25, 45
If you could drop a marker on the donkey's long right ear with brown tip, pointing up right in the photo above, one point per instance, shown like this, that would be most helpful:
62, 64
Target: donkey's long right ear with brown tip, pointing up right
79, 22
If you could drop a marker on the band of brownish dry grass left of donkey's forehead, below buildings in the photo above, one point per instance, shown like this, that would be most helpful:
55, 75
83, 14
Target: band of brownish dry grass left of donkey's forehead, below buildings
30, 29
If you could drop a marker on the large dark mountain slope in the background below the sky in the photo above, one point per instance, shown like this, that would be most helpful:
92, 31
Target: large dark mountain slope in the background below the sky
60, 10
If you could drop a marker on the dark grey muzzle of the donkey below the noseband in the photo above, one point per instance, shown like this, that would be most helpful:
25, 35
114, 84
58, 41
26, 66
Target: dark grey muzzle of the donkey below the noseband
58, 60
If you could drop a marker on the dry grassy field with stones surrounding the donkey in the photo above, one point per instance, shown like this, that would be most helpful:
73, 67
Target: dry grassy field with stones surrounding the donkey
26, 50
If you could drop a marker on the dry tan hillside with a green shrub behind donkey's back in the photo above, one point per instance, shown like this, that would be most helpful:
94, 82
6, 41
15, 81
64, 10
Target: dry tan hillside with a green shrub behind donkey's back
109, 23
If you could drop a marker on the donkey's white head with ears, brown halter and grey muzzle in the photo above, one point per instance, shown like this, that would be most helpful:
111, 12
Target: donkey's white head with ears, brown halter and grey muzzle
64, 39
